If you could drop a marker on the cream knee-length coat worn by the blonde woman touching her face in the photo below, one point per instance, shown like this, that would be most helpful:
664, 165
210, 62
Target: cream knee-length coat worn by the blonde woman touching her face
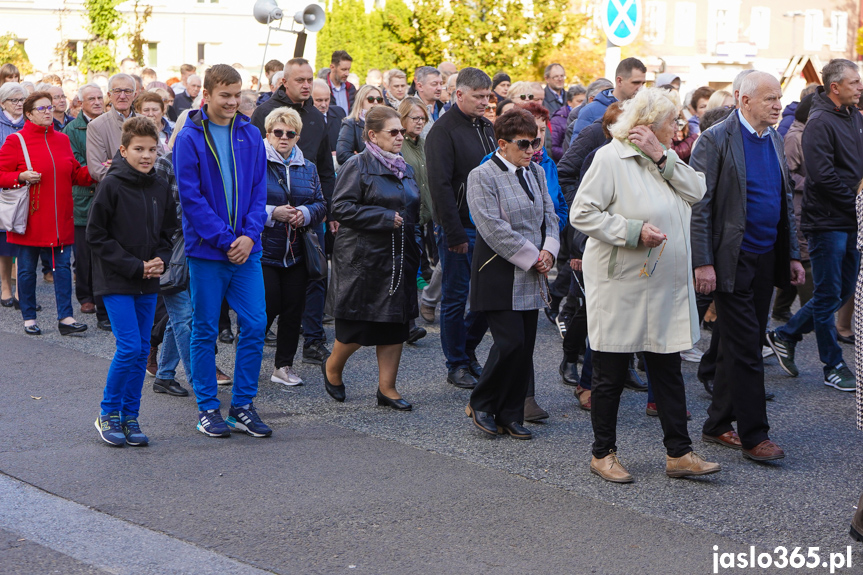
628, 311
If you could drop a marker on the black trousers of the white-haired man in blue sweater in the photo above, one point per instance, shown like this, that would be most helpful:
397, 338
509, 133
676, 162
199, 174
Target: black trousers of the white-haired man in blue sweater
738, 389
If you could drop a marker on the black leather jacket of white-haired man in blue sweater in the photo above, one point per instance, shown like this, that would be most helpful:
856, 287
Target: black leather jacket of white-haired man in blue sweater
719, 219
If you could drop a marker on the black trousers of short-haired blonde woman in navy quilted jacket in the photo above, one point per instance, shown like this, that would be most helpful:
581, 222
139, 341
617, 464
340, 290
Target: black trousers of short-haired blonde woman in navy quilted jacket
285, 291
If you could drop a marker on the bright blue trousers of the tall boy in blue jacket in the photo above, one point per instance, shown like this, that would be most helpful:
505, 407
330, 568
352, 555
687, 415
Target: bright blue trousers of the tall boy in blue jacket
210, 282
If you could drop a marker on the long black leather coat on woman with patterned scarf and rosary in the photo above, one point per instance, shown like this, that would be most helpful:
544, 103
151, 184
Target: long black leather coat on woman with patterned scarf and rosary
365, 202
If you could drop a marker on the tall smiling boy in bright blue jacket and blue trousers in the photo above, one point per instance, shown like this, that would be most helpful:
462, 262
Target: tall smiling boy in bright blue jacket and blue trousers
220, 166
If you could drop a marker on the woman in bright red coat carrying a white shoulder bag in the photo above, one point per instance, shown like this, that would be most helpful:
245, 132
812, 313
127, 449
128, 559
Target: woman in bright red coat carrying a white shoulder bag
50, 227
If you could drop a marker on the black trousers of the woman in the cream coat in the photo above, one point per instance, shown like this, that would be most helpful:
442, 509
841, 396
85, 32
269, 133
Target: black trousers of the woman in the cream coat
610, 371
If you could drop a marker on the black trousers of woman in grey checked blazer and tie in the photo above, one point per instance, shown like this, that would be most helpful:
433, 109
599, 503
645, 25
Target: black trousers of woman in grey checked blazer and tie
505, 378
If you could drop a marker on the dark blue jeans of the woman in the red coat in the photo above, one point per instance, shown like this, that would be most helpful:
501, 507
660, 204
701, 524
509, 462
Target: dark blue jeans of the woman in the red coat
28, 260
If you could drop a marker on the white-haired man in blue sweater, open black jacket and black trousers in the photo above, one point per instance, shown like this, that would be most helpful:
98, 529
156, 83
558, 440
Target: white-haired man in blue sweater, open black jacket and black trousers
743, 243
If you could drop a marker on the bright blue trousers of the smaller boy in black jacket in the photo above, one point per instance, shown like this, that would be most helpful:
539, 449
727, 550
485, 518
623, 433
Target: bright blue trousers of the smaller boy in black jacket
131, 321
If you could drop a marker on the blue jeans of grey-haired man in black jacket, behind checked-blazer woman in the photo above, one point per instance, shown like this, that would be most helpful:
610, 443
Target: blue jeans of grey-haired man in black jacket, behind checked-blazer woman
460, 334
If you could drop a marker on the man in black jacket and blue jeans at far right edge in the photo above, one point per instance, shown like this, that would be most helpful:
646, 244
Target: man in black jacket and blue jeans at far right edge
833, 156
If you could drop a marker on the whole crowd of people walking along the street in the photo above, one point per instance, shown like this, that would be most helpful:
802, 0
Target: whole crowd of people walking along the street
322, 200
